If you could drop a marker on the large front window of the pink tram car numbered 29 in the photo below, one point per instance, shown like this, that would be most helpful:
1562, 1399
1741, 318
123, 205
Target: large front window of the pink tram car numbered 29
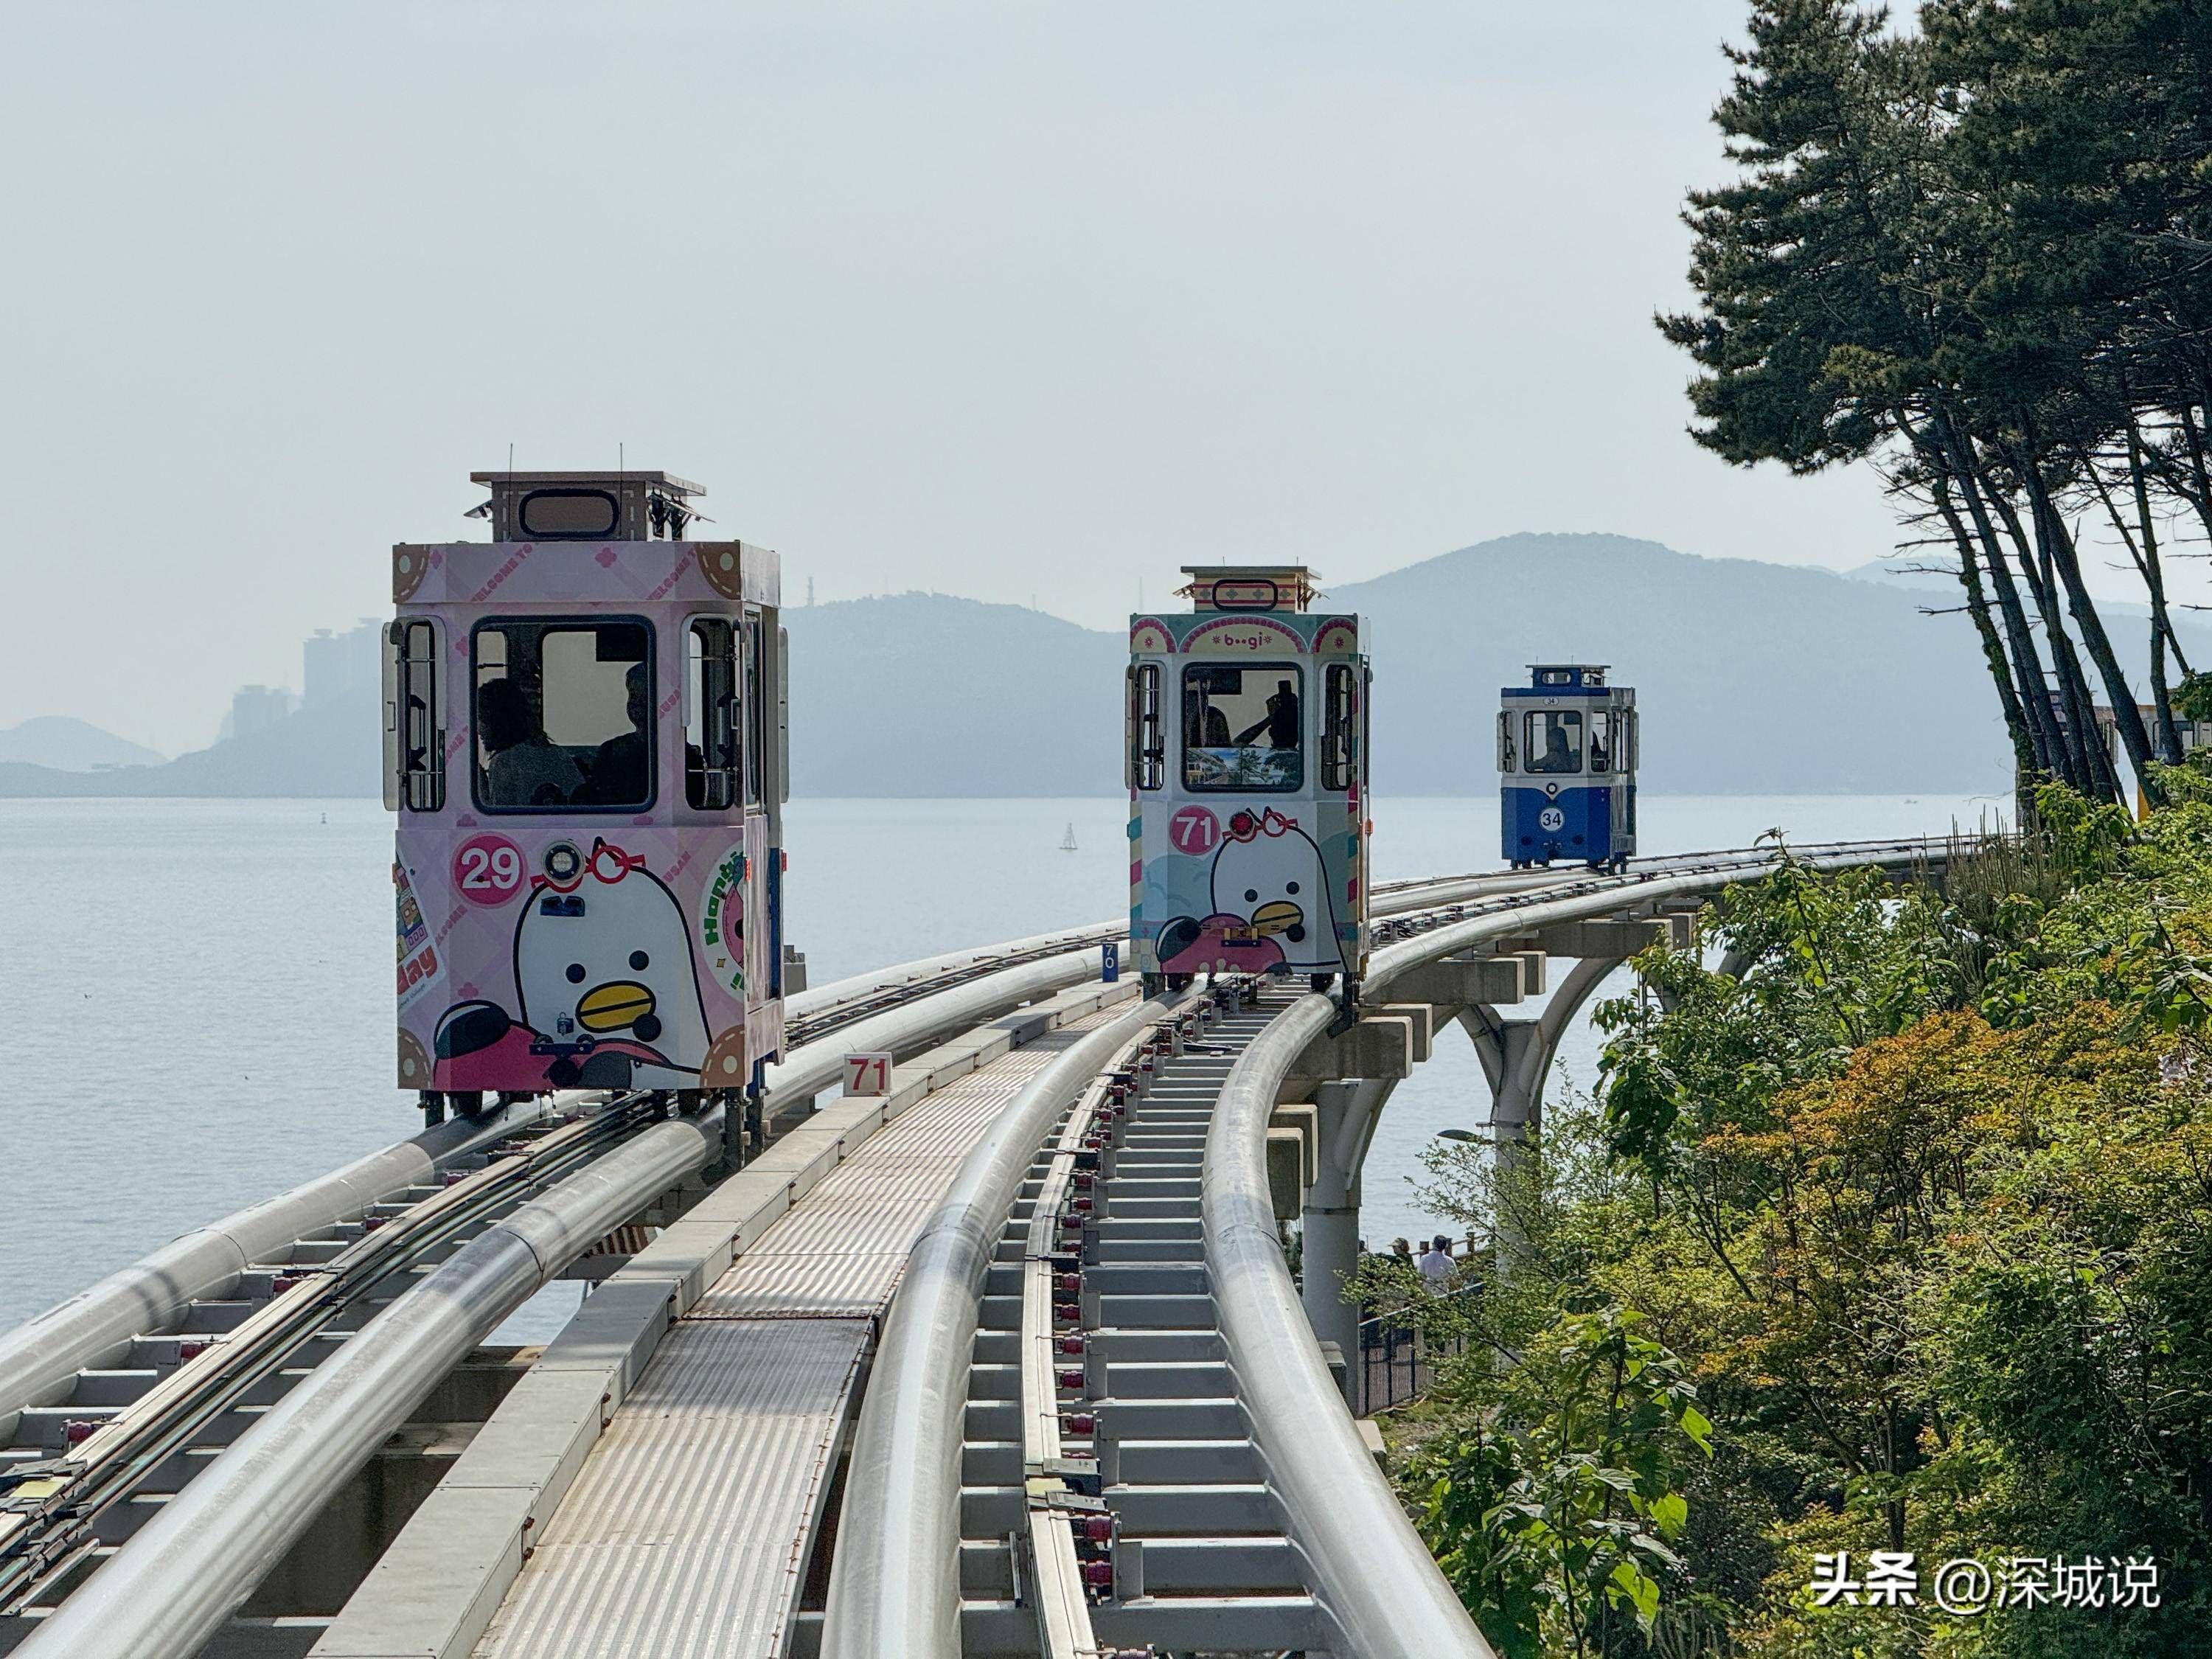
563, 716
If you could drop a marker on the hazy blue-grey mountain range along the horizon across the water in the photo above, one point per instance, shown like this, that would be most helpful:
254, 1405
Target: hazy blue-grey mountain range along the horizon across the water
1753, 680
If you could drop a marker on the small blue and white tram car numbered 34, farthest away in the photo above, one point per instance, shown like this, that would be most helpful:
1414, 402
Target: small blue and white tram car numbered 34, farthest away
1567, 753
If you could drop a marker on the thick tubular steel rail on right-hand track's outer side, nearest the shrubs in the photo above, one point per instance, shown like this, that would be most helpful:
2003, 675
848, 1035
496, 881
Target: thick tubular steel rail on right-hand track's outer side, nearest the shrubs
1373, 1572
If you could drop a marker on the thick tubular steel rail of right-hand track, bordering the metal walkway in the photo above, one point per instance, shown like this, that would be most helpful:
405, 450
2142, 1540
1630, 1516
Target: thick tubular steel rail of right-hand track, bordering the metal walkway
895, 1580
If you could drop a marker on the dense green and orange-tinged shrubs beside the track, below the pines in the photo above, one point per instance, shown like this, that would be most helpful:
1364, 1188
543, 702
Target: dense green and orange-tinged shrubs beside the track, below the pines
1897, 1244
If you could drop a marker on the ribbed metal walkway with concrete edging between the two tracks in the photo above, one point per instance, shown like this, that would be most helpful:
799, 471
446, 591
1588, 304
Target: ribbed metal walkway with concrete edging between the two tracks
691, 1523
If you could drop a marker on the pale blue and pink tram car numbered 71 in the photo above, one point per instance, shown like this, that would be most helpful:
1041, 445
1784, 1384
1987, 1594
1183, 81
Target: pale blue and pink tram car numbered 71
1249, 784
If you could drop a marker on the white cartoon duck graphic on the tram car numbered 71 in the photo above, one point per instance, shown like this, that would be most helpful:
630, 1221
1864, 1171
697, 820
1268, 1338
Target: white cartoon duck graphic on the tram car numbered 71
1271, 904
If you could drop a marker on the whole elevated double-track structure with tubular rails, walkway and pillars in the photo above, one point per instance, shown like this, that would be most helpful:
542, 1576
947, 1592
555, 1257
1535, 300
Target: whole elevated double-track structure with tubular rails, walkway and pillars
1003, 1361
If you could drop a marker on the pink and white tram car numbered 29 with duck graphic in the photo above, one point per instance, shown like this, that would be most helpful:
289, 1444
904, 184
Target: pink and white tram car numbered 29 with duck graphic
585, 744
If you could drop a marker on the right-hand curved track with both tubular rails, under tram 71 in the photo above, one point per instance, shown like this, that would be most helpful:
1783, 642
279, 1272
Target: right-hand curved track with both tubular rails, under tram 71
1151, 1452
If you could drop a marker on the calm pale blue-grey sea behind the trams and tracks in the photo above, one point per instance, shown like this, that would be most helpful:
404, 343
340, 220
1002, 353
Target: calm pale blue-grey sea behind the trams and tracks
196, 997
